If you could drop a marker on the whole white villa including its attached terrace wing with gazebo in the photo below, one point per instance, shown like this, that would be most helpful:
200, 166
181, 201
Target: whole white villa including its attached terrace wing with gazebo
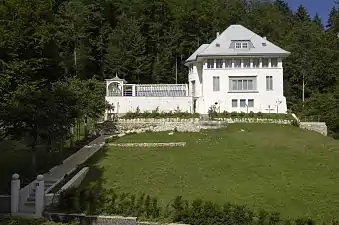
239, 71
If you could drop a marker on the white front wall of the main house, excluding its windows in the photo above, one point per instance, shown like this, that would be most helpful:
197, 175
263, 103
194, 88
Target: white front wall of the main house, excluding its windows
262, 98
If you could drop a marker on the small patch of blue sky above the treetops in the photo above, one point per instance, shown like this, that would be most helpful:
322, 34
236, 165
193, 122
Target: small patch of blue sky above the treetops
322, 7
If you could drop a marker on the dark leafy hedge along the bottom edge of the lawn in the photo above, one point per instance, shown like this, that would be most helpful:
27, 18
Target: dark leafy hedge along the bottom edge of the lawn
96, 201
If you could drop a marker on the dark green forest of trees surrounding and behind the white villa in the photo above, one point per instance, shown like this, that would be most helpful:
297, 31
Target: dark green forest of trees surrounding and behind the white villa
55, 54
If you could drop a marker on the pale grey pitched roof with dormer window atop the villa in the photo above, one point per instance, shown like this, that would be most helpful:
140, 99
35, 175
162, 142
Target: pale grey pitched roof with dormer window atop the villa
238, 33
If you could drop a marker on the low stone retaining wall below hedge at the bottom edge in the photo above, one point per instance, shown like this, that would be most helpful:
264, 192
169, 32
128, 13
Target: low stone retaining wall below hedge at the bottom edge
98, 220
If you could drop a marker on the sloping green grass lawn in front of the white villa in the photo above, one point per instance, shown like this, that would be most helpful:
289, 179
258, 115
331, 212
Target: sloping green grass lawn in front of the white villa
273, 167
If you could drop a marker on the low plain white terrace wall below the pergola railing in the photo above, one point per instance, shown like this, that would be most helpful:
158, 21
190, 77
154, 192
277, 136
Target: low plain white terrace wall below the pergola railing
165, 104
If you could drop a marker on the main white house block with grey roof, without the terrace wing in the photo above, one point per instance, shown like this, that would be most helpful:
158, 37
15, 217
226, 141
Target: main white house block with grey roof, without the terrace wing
239, 71
